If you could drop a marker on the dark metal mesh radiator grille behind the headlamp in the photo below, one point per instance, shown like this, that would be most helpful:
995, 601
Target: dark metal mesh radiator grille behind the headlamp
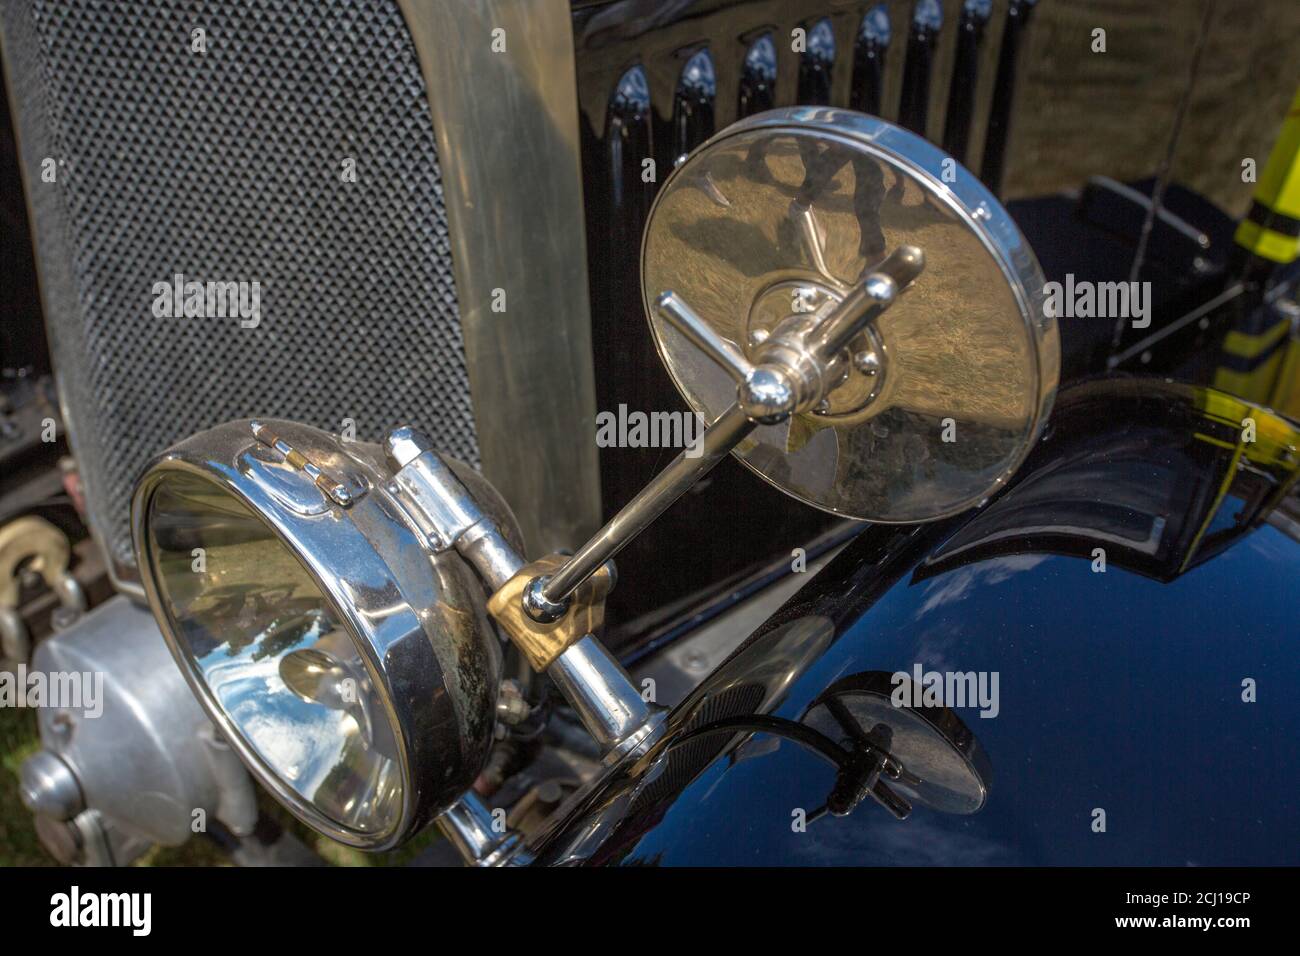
226, 166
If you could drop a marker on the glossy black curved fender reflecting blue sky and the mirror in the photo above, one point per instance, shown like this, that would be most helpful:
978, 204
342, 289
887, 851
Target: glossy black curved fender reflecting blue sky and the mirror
1120, 690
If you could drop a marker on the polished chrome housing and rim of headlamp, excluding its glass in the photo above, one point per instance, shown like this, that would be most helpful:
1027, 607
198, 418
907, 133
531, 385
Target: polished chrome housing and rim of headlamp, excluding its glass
417, 650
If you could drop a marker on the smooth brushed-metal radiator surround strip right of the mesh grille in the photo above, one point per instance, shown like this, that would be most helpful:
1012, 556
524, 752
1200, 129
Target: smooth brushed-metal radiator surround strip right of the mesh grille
508, 133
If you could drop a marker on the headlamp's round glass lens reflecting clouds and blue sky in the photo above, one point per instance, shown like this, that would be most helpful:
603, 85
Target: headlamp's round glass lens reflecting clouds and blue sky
274, 654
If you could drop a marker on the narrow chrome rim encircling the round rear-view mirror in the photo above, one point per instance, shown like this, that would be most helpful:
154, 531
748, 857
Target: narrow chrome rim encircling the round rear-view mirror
965, 201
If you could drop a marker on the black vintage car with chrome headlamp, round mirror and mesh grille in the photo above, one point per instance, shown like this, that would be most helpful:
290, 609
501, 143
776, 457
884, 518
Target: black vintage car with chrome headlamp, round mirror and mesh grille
652, 432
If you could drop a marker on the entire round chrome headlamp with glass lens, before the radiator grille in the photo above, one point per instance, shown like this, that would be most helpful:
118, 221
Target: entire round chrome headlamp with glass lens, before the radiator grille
346, 659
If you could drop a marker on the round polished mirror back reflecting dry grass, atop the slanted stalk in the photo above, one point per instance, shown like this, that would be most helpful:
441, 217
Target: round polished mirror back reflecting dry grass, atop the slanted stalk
772, 224
